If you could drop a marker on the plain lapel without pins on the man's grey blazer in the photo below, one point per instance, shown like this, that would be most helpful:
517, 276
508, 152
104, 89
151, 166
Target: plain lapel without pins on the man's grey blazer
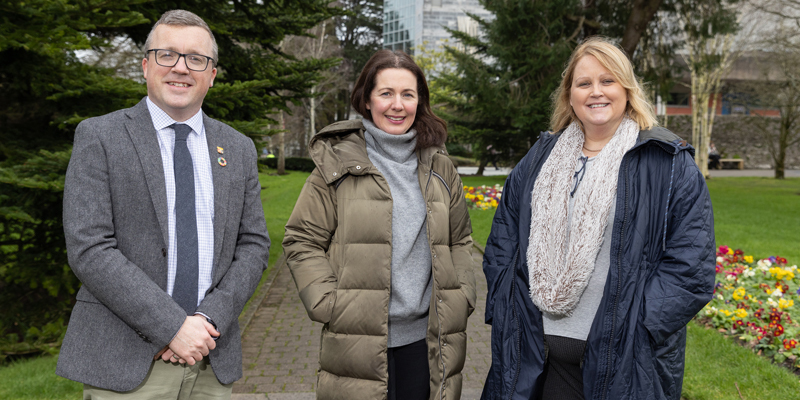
145, 141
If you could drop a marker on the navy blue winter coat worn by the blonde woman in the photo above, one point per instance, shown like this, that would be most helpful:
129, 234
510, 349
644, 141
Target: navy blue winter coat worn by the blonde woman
661, 274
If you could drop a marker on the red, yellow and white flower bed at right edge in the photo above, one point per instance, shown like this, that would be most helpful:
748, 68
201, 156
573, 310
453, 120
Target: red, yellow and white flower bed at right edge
755, 302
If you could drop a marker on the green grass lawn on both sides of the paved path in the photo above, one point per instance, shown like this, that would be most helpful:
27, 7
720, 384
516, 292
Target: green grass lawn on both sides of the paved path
759, 215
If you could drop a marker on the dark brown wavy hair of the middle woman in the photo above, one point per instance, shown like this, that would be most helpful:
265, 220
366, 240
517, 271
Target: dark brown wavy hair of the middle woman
431, 130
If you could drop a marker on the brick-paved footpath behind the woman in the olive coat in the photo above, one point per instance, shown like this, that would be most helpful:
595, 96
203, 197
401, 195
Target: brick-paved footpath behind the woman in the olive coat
281, 345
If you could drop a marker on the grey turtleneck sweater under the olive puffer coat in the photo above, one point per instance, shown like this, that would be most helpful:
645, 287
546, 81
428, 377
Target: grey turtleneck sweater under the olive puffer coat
396, 160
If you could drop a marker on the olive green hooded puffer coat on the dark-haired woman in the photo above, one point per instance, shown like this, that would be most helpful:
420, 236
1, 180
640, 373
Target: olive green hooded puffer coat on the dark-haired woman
338, 247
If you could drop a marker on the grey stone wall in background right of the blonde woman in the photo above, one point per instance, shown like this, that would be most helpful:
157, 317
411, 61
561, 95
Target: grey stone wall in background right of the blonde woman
737, 136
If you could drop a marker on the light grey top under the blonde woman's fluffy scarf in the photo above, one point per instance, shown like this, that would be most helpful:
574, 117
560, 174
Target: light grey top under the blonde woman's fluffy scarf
577, 325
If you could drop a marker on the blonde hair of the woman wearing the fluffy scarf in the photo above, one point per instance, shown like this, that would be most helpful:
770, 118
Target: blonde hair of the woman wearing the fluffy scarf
613, 59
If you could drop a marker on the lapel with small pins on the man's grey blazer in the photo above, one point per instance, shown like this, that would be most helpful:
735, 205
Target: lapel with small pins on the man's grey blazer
222, 180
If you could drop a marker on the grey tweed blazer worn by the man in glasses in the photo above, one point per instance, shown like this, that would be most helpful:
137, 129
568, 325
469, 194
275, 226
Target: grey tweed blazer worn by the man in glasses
115, 221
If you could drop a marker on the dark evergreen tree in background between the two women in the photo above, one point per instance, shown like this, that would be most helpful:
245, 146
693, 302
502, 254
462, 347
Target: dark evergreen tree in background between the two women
504, 79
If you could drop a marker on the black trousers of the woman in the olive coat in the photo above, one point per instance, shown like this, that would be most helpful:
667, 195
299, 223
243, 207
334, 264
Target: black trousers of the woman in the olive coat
409, 376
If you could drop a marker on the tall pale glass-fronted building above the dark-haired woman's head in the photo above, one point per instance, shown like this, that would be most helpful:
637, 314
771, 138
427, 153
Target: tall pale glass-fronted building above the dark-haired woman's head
411, 23
